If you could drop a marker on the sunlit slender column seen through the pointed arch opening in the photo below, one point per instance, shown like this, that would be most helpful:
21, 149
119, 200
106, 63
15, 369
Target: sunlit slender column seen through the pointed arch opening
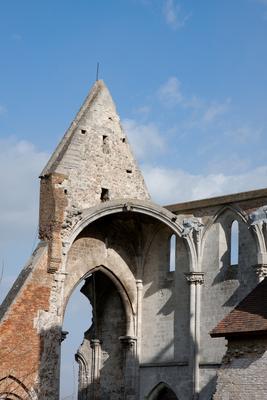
95, 345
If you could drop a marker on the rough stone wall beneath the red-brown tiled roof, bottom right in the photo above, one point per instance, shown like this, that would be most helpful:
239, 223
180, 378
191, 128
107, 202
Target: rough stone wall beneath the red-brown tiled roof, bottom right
244, 370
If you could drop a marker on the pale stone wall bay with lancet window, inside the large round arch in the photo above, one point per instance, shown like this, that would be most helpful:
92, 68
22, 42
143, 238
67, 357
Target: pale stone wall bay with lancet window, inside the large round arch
165, 303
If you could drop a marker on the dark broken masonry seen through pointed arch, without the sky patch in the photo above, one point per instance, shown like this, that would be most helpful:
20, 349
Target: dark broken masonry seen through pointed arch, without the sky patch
107, 354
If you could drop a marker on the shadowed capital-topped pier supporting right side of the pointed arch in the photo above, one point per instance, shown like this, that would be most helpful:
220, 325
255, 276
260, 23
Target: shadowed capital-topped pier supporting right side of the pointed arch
130, 366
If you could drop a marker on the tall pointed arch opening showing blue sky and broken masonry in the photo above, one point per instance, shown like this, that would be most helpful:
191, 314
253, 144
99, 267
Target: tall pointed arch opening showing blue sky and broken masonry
97, 346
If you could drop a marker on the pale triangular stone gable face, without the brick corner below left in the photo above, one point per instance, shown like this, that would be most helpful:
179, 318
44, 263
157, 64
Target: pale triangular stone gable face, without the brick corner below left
94, 157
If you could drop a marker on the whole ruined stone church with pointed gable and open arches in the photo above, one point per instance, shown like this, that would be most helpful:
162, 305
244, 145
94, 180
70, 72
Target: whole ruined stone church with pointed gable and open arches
162, 282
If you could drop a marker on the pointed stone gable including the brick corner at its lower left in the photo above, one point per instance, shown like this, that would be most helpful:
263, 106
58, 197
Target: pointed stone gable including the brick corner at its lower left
92, 164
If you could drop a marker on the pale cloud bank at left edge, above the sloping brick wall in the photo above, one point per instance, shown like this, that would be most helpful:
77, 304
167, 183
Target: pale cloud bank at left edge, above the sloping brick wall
20, 165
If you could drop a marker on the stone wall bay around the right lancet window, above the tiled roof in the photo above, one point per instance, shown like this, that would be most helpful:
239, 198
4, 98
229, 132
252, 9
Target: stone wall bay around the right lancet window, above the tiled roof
224, 284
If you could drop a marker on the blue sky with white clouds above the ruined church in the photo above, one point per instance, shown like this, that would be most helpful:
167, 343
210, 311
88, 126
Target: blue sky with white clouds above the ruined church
189, 79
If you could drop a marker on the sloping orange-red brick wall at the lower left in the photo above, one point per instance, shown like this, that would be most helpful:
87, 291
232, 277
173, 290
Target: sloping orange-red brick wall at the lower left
20, 344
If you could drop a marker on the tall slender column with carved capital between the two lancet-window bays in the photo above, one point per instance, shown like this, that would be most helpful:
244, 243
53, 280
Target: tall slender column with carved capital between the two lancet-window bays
195, 279
